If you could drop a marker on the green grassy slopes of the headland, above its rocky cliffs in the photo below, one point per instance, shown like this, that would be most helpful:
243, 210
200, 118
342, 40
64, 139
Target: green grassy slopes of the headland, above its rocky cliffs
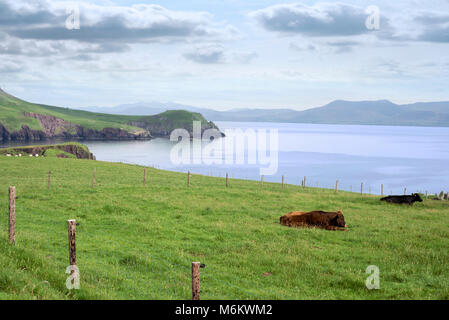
13, 116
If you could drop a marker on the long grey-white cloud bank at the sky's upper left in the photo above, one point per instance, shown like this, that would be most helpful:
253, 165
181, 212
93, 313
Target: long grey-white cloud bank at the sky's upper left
44, 20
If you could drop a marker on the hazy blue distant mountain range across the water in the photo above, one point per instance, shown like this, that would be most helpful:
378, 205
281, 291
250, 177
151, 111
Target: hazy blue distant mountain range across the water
380, 112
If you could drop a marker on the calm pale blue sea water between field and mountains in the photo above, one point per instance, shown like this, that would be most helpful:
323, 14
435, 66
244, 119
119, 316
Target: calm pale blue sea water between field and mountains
415, 158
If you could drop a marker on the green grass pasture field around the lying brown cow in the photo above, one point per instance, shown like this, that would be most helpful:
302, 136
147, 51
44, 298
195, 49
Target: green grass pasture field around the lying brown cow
138, 242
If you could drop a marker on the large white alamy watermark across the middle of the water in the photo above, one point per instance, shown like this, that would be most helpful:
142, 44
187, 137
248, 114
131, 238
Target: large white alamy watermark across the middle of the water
230, 150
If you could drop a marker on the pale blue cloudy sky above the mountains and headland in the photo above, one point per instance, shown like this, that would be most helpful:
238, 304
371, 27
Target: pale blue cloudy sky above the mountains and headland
224, 54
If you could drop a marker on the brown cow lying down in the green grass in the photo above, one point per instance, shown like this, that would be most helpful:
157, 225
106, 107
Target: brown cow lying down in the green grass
320, 219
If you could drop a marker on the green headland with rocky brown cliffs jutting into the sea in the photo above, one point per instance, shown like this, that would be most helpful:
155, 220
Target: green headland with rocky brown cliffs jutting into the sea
25, 121
